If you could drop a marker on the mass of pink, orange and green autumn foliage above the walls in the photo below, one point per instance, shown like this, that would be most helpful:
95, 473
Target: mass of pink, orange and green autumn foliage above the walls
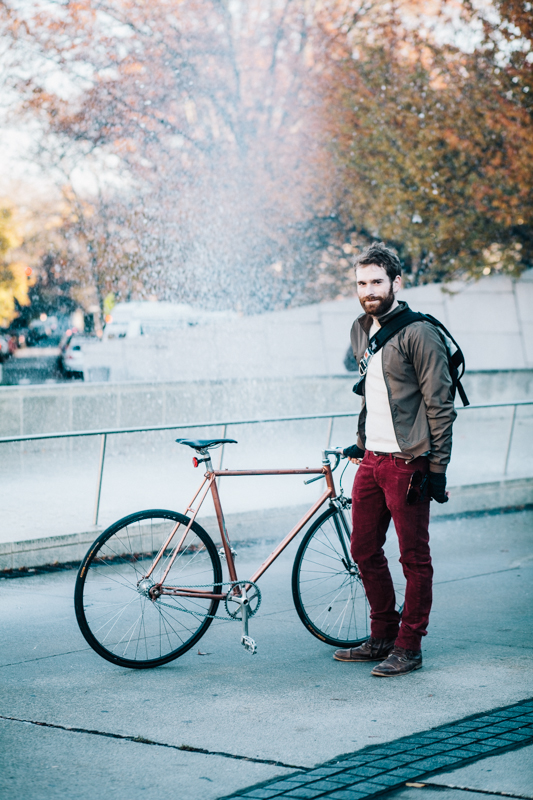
253, 146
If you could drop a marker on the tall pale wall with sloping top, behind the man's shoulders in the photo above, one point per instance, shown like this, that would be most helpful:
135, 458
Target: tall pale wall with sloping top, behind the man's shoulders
492, 319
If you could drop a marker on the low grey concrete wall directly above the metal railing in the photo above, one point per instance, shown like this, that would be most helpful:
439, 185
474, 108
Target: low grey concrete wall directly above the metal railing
82, 406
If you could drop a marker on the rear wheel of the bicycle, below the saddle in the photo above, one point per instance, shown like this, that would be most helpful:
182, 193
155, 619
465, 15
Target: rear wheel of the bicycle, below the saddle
127, 627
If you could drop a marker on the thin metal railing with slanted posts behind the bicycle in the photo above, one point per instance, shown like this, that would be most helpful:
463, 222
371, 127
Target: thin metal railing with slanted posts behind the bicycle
224, 425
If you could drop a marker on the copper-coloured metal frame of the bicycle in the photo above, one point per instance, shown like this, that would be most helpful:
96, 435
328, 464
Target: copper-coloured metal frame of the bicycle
210, 478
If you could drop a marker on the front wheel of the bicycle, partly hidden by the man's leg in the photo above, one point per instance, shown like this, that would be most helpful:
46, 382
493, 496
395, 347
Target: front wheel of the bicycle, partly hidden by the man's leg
328, 593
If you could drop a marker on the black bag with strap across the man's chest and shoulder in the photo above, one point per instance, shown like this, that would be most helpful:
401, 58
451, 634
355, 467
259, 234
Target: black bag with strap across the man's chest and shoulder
456, 359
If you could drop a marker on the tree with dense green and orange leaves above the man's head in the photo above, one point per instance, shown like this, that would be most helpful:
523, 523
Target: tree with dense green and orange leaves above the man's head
433, 151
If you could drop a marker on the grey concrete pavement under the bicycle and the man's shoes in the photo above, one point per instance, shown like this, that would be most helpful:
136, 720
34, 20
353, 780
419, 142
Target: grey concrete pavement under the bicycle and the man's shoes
217, 720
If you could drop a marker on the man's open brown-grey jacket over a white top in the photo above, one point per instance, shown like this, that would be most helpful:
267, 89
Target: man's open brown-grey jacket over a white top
415, 368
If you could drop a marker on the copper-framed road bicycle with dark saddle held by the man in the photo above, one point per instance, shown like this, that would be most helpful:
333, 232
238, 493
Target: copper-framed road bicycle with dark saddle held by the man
145, 594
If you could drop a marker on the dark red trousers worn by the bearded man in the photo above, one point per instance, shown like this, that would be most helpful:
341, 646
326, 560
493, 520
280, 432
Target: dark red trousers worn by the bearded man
379, 494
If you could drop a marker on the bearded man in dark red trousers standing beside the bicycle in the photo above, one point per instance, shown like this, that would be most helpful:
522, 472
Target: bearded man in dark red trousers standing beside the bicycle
403, 448
